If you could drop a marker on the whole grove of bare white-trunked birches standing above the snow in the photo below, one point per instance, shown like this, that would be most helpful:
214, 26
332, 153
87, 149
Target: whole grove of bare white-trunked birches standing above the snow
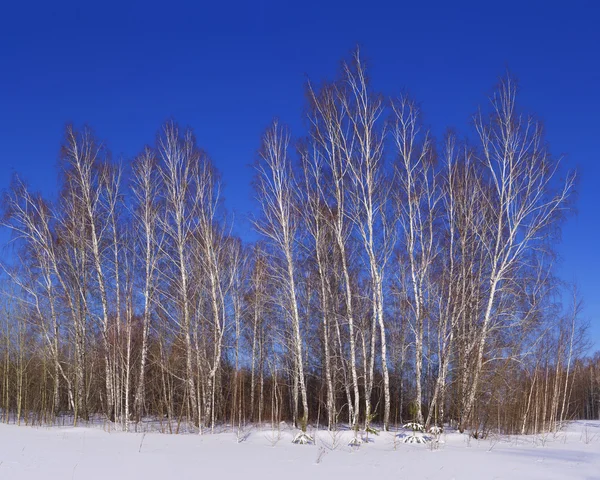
393, 276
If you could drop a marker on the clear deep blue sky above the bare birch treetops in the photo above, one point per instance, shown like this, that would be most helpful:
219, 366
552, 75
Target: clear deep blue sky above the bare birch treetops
227, 68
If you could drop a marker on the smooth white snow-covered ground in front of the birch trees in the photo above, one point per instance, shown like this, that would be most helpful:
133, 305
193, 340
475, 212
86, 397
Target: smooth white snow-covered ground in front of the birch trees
93, 453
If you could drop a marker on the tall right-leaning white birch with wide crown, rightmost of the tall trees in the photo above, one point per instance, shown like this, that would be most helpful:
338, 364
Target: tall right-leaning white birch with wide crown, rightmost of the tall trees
526, 203
